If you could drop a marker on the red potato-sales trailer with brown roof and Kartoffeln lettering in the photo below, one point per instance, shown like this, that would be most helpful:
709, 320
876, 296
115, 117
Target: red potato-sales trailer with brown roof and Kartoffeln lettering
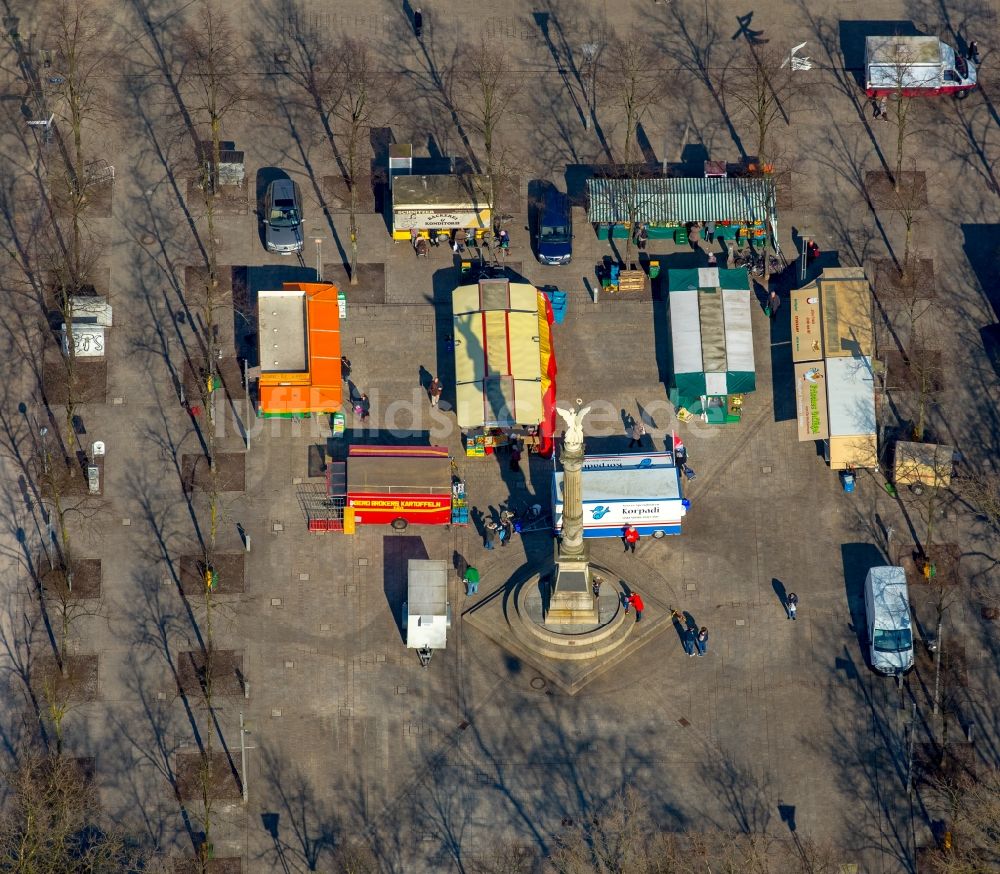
400, 485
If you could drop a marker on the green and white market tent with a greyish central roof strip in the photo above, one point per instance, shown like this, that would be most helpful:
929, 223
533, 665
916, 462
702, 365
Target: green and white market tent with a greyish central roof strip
711, 335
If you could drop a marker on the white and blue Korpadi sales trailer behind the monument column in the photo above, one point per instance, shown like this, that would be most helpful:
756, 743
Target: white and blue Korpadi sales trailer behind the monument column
648, 497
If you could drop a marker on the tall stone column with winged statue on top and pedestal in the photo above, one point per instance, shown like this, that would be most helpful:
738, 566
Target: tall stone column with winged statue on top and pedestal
572, 602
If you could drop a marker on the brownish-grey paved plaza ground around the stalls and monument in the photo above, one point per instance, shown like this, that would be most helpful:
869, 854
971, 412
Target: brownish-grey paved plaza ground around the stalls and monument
350, 741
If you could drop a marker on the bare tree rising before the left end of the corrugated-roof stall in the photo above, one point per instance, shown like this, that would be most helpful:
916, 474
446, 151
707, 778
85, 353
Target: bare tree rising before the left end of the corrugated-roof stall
632, 82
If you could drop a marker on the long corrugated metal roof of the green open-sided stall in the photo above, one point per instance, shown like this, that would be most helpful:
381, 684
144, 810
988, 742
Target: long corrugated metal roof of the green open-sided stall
682, 200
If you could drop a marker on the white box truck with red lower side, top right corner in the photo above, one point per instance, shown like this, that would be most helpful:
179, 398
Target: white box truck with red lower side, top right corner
915, 65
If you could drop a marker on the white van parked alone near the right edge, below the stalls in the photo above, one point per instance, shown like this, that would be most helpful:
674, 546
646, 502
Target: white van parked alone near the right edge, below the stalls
890, 632
